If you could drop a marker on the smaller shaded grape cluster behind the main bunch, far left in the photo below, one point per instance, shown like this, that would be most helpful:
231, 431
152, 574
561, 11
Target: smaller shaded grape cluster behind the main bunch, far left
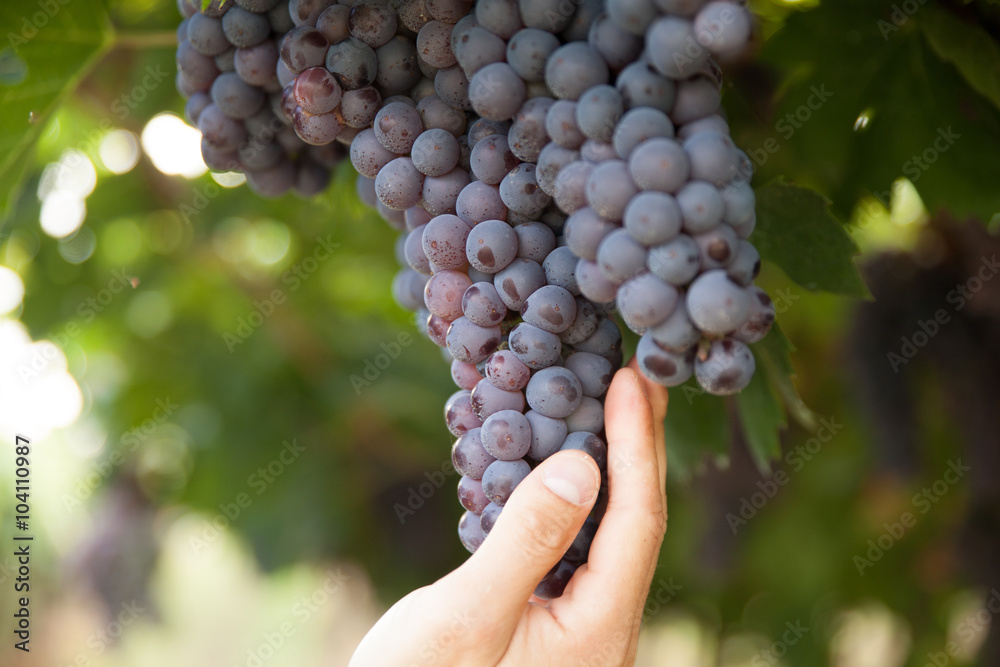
228, 69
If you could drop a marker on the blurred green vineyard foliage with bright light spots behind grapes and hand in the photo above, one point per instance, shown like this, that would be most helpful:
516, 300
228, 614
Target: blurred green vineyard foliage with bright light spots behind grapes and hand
211, 484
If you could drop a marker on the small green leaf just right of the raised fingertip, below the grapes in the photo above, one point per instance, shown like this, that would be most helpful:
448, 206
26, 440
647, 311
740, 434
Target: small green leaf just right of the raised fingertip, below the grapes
696, 424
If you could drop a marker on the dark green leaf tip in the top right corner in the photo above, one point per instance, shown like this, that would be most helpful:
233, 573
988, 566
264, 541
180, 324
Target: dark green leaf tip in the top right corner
970, 48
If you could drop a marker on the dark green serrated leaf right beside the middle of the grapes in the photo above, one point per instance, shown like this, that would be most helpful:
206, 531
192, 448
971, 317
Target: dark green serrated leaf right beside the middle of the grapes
797, 231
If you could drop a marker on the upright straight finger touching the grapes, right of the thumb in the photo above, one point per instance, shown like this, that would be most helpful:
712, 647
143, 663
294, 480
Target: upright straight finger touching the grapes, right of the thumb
625, 550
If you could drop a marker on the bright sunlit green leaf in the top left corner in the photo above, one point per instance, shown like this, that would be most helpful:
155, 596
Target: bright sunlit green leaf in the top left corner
44, 62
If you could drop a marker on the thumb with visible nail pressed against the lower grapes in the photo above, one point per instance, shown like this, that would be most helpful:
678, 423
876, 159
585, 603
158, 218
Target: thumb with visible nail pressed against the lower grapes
532, 533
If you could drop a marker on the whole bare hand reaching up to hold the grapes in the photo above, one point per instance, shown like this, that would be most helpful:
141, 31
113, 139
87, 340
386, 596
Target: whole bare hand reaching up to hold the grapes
484, 613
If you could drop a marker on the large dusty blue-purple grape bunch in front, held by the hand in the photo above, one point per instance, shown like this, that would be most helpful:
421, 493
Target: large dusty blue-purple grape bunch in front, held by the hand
549, 165
